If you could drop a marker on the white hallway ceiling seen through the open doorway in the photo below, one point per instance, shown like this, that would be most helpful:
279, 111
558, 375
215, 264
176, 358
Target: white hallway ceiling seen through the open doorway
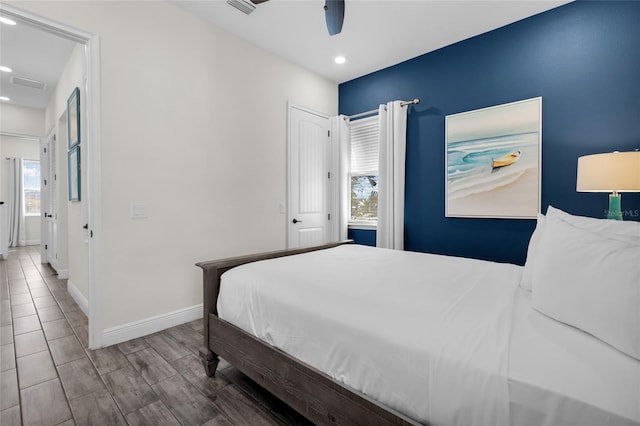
33, 54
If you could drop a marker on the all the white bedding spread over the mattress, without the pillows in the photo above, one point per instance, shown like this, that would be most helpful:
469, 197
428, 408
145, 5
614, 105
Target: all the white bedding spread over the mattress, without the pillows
445, 340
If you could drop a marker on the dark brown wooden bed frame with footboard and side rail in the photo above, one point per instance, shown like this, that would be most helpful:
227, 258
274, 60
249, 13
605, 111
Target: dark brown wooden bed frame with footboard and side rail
312, 393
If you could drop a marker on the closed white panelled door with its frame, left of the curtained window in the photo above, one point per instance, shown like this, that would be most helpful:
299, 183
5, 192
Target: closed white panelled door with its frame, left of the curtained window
309, 151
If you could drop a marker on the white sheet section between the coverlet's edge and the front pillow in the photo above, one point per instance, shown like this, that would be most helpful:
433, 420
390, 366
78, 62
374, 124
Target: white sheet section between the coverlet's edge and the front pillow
560, 375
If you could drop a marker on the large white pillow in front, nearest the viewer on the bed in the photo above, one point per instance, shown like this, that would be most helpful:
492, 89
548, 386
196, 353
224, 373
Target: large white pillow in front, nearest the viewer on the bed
590, 282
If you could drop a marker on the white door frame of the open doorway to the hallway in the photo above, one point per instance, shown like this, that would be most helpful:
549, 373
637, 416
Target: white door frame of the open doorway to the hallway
93, 126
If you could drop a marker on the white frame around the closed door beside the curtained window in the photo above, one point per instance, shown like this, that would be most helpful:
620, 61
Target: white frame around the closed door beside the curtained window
332, 169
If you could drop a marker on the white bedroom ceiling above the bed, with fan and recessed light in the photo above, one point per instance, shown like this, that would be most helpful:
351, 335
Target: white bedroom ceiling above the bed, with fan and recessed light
376, 33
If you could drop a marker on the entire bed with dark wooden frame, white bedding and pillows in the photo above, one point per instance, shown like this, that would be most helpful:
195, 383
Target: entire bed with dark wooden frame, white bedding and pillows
347, 334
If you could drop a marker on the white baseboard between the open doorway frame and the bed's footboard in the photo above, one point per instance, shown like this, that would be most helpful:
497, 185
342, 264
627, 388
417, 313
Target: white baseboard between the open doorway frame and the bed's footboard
147, 326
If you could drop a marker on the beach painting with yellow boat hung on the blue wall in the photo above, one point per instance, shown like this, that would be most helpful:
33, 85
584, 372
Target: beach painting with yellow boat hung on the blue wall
494, 161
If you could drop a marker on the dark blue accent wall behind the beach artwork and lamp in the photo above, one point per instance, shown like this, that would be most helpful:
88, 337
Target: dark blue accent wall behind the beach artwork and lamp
583, 59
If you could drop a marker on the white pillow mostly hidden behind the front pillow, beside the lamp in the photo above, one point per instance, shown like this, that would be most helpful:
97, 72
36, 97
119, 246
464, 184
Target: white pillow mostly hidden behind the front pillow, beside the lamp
615, 229
